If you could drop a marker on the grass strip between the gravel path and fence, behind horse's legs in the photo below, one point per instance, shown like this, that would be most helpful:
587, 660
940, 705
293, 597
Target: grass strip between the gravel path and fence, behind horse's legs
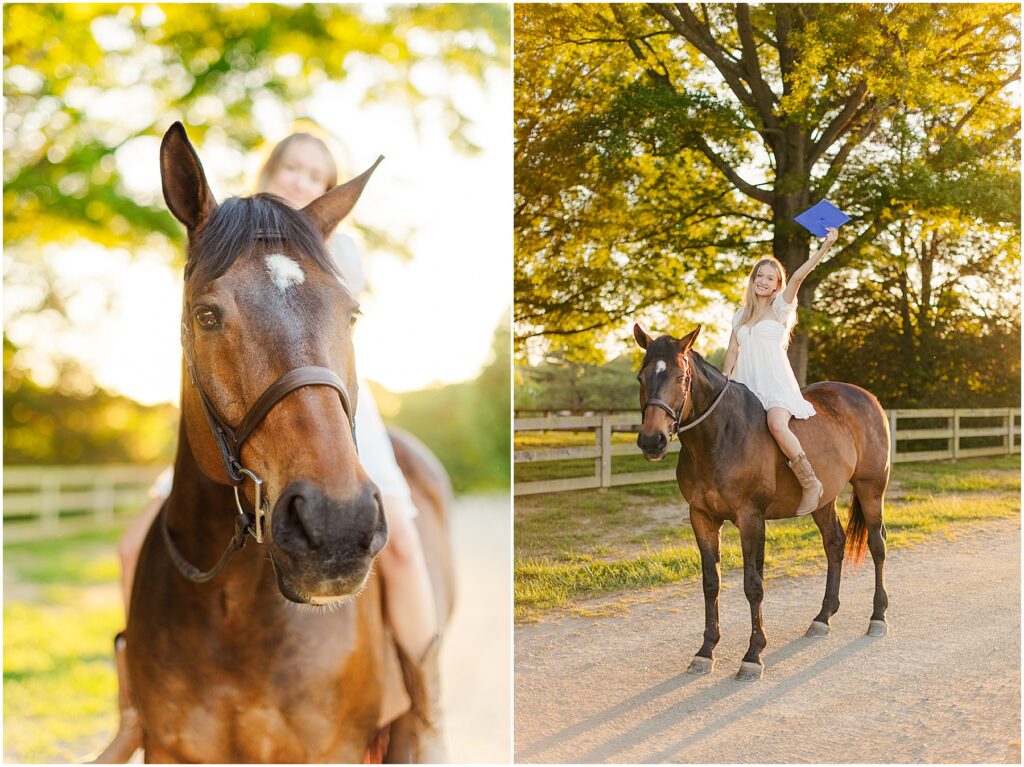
573, 546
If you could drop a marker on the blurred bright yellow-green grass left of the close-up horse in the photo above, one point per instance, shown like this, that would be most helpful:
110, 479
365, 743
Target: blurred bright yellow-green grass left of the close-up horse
62, 609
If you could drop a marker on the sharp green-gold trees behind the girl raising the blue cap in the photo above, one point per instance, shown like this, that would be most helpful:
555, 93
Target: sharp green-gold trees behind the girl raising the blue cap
662, 149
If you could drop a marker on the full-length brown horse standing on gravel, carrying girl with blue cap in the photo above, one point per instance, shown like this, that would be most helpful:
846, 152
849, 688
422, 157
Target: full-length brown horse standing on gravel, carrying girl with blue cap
732, 468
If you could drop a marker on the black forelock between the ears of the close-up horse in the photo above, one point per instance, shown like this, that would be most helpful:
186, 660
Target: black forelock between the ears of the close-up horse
243, 225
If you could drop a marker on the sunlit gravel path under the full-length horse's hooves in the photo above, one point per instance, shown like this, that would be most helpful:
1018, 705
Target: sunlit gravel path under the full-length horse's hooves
945, 687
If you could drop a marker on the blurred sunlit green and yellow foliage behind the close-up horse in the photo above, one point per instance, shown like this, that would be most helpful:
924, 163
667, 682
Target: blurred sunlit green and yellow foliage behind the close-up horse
209, 66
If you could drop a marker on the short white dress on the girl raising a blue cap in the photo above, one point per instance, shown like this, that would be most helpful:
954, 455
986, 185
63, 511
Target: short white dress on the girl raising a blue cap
763, 366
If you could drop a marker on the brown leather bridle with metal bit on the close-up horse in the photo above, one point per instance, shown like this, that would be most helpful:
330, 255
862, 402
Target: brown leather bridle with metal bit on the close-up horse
230, 441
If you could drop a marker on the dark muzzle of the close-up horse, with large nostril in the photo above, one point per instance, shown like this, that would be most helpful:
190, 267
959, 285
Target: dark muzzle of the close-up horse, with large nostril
323, 548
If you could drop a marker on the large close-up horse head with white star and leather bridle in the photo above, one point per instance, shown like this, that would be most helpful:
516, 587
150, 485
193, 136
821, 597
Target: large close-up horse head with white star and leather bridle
270, 388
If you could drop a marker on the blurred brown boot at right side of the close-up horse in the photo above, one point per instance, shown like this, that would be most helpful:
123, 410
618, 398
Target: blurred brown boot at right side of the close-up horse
423, 685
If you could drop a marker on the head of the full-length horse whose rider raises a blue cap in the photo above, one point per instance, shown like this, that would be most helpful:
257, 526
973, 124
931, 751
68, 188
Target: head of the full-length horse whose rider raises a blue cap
666, 376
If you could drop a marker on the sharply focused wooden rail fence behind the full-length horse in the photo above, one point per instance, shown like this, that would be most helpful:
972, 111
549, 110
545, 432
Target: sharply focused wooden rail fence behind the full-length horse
959, 425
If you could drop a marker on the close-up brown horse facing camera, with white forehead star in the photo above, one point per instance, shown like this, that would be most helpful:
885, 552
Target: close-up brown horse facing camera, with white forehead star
229, 668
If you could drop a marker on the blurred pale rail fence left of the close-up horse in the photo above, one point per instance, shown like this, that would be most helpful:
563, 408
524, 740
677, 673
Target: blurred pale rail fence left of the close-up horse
52, 501
